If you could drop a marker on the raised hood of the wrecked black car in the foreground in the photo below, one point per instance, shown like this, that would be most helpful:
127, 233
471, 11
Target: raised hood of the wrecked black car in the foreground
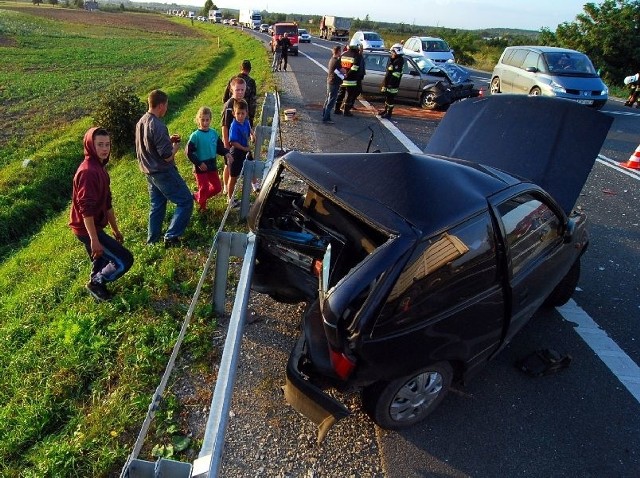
551, 142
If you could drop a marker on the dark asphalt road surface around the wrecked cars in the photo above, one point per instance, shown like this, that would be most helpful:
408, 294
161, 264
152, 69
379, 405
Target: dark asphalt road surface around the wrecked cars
583, 421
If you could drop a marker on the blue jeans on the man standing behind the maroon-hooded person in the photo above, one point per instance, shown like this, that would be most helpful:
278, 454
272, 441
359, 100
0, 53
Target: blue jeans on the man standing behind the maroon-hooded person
168, 186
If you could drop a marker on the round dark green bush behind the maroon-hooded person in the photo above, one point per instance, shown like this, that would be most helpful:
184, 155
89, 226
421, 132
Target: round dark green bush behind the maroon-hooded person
118, 111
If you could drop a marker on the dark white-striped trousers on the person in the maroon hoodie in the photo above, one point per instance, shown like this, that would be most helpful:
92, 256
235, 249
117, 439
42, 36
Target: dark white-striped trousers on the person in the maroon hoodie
114, 261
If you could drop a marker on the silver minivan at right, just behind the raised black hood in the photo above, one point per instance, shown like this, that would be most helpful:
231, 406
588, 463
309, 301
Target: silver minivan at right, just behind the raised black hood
549, 71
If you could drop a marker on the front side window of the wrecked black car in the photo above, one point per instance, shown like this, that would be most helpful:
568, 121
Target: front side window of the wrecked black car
532, 228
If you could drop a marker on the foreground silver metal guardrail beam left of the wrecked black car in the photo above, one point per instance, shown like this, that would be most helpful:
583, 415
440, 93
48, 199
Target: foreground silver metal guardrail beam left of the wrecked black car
210, 457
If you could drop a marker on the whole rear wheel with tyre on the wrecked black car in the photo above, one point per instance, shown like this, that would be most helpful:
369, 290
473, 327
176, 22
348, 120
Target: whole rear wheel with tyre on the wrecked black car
403, 402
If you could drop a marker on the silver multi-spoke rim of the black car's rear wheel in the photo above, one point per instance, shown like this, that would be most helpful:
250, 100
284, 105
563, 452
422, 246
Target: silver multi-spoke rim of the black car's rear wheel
415, 396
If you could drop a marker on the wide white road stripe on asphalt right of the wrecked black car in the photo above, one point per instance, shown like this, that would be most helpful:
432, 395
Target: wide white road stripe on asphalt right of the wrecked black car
613, 356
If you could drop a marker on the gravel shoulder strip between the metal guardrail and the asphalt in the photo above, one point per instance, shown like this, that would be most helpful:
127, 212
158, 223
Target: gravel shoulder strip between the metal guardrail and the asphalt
265, 436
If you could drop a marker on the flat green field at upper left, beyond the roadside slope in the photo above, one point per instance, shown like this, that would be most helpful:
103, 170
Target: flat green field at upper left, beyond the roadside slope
46, 124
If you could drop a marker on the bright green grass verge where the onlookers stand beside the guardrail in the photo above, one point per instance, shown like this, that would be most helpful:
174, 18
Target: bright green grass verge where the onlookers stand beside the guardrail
78, 375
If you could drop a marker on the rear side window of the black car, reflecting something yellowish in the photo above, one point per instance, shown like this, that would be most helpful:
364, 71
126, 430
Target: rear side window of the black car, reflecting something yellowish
448, 270
